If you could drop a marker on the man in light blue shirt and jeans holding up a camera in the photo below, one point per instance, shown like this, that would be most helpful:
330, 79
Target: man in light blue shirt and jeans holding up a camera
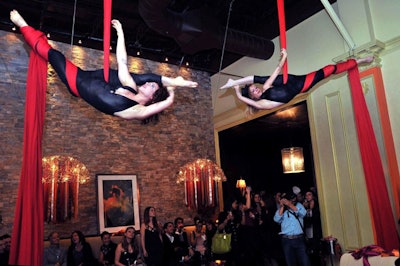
290, 216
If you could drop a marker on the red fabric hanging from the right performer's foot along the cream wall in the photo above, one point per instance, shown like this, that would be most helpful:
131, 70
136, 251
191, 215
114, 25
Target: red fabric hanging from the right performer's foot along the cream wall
383, 220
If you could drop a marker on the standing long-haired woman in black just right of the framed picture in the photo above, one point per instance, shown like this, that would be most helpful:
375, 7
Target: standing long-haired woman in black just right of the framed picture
151, 240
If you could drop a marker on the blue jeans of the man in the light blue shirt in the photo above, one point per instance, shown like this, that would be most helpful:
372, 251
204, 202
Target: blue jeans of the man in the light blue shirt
295, 251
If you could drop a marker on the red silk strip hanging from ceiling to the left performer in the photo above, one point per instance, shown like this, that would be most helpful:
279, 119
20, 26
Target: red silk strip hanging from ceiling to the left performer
106, 37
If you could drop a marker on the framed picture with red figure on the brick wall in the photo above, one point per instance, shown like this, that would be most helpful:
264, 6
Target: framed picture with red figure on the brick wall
118, 202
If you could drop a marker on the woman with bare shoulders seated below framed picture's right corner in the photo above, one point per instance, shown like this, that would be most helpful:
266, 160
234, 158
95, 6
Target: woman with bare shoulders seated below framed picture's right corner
127, 253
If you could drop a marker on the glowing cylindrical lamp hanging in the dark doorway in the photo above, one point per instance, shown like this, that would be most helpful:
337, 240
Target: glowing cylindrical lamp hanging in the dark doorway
292, 160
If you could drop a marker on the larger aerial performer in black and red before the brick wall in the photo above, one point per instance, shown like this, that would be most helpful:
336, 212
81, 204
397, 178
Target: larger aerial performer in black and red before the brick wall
126, 95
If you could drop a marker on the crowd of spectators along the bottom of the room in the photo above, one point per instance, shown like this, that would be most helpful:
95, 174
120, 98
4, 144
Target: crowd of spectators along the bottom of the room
277, 229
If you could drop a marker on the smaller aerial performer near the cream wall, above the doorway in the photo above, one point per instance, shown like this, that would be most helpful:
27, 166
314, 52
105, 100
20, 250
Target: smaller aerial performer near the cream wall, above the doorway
275, 92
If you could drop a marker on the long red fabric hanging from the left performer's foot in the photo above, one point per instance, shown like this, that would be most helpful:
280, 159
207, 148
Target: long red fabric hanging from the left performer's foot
27, 234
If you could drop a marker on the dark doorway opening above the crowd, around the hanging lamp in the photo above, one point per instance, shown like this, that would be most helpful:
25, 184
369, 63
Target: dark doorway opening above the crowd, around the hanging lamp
252, 150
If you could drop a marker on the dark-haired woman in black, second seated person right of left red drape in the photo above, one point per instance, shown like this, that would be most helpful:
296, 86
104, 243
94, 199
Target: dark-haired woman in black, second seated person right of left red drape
80, 252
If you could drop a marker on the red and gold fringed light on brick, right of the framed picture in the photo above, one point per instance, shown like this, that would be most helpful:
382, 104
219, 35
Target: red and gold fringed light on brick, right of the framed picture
201, 178
